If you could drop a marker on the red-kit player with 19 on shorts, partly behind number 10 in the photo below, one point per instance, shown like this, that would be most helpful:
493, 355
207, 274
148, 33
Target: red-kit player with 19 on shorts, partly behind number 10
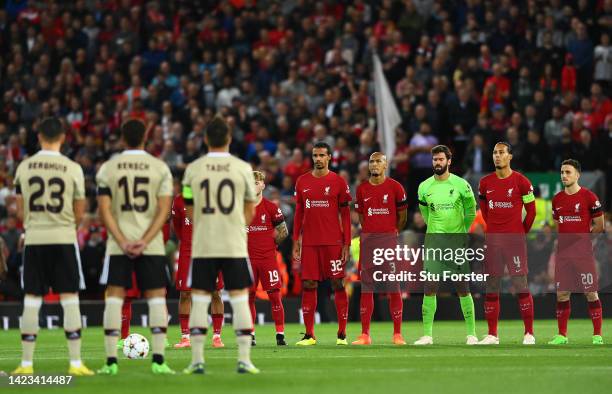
267, 230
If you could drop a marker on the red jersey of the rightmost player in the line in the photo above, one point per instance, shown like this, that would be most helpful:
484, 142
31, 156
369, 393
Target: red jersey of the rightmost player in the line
574, 214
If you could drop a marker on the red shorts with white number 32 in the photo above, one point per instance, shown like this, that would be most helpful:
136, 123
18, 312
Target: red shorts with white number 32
322, 262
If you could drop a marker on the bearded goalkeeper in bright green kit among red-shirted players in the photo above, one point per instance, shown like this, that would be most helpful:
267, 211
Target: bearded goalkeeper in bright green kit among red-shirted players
448, 207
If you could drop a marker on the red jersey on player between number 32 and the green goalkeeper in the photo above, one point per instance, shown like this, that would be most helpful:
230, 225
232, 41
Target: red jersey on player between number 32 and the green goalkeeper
379, 205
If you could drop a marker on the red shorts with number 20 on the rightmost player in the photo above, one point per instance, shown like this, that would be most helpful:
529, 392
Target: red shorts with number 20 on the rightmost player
576, 275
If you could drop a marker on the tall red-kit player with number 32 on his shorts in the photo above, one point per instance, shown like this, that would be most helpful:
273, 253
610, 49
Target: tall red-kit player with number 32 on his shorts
321, 238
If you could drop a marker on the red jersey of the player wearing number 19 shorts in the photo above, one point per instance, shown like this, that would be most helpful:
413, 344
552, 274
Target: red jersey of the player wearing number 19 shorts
261, 230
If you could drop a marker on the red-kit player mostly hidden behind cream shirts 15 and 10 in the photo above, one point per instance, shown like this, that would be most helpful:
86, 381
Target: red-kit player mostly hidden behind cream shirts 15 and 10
183, 230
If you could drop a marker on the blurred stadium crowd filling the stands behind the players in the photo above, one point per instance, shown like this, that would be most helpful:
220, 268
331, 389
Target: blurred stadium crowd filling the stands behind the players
465, 73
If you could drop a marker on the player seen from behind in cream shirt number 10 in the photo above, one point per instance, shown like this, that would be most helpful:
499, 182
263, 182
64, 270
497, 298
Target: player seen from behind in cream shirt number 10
219, 193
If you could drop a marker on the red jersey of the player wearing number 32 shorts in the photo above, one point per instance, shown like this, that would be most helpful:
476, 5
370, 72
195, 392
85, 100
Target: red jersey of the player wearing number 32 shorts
320, 200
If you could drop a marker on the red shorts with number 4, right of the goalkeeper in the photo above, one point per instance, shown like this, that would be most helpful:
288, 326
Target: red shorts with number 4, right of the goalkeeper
506, 252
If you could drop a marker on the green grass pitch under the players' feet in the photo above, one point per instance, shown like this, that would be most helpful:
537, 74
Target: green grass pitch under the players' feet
448, 366
